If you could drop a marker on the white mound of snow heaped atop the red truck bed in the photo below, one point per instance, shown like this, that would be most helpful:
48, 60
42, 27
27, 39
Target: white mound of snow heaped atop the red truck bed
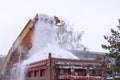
56, 52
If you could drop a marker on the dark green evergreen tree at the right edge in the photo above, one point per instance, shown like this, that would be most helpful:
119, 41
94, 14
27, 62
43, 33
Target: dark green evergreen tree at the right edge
114, 47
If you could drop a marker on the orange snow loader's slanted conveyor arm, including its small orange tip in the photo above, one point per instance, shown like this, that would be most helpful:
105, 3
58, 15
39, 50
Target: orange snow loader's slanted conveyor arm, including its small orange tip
20, 47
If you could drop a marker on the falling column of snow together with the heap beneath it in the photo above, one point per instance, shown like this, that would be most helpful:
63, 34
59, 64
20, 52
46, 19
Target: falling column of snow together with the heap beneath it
44, 41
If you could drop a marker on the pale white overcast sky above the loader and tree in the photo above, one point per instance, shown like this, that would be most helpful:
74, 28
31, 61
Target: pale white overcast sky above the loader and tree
94, 17
